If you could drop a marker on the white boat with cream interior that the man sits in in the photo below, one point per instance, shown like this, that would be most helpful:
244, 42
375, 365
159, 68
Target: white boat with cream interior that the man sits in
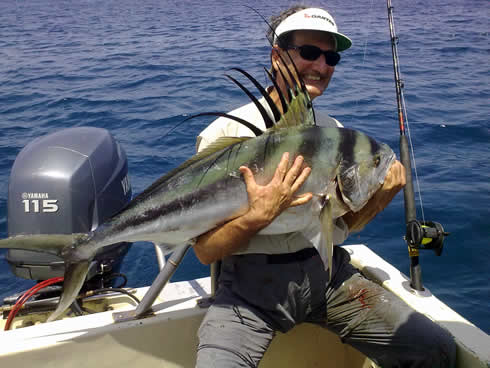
167, 337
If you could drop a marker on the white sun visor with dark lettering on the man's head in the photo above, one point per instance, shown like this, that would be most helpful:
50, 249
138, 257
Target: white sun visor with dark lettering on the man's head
313, 19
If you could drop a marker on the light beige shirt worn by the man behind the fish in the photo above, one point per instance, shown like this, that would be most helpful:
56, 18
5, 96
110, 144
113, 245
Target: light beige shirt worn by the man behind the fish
271, 244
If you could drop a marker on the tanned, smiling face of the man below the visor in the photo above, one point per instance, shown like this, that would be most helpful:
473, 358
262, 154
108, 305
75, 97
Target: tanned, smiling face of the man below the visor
316, 74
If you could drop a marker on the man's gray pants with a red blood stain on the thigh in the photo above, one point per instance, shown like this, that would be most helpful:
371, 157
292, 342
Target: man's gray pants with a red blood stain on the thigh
257, 297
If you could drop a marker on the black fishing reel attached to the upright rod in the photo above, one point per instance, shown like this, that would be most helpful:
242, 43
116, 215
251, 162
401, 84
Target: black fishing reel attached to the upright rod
425, 235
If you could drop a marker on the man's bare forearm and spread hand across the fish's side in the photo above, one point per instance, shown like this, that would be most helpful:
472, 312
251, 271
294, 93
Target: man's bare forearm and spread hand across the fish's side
265, 204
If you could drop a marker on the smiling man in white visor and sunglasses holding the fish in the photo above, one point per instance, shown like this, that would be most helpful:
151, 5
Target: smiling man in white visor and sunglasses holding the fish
271, 283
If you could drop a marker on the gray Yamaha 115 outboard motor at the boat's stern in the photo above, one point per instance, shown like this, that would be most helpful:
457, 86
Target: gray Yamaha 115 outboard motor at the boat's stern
67, 182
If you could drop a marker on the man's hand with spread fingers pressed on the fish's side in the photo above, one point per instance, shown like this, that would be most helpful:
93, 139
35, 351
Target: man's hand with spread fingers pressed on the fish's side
268, 201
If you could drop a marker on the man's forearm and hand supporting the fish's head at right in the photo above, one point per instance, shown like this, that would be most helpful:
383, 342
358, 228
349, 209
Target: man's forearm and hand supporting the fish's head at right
394, 181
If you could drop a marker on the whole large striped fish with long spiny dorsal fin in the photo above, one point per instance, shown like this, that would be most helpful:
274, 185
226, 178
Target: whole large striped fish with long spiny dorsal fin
347, 166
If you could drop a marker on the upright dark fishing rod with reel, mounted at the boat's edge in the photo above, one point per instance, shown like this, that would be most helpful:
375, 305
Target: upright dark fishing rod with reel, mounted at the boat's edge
419, 234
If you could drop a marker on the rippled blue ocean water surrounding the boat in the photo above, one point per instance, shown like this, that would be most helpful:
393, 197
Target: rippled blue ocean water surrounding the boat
138, 68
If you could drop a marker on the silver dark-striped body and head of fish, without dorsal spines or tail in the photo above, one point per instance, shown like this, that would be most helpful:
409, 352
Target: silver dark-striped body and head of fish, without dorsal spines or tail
211, 191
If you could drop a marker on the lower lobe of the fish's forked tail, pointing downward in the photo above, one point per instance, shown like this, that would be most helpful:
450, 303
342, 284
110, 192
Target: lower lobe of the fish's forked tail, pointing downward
75, 274
